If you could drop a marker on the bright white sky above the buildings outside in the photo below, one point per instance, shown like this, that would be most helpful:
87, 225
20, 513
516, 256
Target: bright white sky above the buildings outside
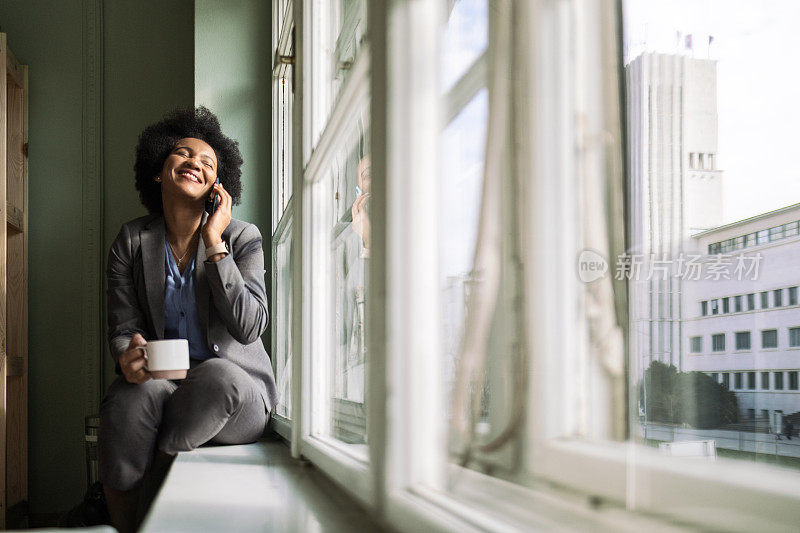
758, 87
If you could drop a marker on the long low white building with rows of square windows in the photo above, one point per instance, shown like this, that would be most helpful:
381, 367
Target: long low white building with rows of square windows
745, 330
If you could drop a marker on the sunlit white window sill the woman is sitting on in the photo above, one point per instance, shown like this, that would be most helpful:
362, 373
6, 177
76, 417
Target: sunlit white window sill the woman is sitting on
252, 487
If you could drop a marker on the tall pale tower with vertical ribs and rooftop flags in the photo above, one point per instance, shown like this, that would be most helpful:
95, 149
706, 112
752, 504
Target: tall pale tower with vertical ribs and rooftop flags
675, 189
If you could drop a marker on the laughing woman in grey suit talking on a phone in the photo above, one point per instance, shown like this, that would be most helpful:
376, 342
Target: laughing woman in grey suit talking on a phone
182, 273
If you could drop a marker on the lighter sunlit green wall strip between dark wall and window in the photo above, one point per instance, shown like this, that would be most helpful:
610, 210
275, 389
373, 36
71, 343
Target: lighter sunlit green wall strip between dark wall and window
233, 78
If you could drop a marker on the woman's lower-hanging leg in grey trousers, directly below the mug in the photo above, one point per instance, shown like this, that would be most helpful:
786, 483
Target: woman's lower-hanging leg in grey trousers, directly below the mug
130, 416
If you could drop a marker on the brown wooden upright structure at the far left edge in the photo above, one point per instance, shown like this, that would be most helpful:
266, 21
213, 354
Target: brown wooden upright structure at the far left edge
13, 290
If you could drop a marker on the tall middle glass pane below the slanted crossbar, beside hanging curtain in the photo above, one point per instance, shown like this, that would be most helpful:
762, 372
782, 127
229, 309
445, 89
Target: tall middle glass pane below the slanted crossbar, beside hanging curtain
486, 403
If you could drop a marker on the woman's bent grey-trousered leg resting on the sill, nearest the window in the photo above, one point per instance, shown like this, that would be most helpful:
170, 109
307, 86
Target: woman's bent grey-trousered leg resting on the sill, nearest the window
218, 402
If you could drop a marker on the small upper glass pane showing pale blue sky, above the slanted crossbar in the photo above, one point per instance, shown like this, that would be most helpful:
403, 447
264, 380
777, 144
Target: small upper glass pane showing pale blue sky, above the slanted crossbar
464, 40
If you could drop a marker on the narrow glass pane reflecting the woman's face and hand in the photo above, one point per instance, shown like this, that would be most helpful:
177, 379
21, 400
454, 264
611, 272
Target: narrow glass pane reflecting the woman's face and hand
340, 254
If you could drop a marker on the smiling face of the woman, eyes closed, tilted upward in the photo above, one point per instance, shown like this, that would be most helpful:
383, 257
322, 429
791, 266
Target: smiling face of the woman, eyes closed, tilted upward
189, 170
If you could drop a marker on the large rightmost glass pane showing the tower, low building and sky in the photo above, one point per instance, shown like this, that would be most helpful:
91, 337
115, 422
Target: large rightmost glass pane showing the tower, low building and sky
699, 77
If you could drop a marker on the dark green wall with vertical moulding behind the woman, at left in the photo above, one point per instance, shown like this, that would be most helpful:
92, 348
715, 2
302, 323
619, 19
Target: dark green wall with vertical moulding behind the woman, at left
148, 69
